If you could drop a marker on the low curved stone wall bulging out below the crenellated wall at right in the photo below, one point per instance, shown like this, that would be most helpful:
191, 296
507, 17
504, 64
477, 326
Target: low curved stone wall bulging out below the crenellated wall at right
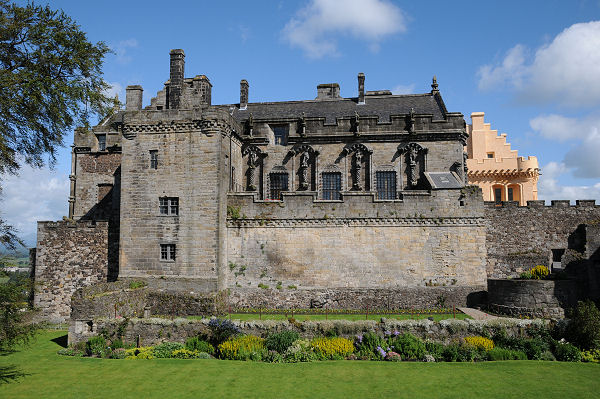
532, 298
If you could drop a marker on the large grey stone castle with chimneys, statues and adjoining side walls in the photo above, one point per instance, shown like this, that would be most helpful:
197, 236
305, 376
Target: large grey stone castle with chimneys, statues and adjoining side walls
337, 201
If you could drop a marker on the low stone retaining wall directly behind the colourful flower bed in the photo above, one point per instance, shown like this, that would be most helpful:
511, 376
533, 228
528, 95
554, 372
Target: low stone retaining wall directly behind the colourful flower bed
152, 331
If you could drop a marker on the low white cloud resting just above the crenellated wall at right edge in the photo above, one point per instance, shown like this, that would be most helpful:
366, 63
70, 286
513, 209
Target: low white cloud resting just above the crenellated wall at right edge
549, 187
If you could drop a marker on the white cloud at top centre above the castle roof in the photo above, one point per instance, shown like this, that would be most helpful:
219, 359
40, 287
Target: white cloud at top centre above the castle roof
315, 27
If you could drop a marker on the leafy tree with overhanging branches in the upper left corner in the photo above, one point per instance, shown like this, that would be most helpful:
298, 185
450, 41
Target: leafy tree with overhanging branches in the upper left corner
50, 81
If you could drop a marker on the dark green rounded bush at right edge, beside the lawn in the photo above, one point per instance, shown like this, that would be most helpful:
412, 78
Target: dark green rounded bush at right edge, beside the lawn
584, 327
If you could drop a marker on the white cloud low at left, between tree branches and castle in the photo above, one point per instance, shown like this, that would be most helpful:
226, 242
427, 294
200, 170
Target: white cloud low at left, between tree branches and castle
34, 194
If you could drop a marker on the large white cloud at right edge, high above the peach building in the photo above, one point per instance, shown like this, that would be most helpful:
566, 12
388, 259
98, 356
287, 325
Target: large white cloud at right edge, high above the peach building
564, 71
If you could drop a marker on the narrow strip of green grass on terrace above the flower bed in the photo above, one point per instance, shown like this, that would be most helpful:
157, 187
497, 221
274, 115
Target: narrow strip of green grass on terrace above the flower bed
352, 317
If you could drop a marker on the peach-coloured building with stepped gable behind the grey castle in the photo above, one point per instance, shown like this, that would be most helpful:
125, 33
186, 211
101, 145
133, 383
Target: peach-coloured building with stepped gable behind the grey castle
500, 172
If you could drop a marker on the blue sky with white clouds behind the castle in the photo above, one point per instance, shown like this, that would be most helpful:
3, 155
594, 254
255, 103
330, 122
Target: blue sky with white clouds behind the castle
532, 66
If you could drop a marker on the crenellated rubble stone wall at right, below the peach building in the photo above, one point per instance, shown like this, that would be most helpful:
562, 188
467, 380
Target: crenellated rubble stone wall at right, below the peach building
518, 238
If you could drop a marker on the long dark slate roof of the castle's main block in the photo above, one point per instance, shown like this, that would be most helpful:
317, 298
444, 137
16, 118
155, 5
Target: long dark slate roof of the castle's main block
381, 106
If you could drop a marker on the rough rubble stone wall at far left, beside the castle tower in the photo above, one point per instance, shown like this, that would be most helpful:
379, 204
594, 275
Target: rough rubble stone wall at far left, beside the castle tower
69, 256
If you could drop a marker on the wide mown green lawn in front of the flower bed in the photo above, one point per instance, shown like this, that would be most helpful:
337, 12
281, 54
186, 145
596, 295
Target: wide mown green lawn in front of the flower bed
54, 376
